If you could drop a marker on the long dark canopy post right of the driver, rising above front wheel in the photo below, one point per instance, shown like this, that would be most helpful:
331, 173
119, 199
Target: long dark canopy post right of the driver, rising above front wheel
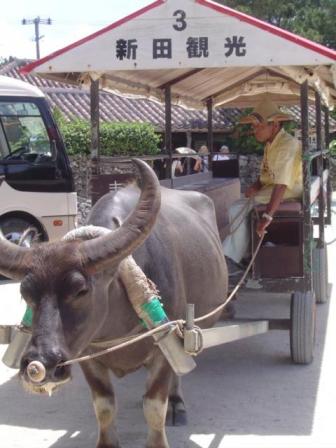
307, 226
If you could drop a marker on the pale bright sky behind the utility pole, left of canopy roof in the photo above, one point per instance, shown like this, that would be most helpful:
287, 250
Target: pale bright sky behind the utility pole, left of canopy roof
71, 20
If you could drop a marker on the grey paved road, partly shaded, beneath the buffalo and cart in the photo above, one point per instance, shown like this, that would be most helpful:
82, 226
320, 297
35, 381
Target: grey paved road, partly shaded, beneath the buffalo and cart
244, 394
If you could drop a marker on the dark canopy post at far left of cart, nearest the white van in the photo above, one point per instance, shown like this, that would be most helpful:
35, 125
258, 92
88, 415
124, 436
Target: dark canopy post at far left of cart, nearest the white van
95, 143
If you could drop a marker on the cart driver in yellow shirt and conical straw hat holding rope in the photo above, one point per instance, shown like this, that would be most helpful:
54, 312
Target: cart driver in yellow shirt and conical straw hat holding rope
280, 178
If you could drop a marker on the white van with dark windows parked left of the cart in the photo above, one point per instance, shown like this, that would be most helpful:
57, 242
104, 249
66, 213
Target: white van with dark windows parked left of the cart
36, 183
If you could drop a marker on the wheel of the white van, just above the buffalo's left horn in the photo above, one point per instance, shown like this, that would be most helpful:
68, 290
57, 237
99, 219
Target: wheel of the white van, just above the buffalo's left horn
20, 231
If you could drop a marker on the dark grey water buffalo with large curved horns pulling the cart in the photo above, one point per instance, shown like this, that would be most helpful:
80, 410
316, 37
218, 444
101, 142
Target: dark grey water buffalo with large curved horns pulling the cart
76, 294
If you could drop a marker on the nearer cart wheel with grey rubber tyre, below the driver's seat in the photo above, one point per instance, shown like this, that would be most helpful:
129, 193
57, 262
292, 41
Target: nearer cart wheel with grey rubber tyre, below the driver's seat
302, 331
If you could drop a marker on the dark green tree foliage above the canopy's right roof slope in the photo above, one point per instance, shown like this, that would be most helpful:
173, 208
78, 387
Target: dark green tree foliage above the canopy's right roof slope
313, 19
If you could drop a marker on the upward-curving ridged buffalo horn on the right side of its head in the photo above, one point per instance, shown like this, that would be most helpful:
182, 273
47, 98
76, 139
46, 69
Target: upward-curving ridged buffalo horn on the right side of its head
114, 247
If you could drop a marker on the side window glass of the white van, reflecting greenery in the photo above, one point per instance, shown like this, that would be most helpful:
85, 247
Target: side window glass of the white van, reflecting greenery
24, 135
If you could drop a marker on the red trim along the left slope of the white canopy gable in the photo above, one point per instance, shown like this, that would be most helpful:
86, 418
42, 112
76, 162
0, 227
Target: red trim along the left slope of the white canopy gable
29, 67
